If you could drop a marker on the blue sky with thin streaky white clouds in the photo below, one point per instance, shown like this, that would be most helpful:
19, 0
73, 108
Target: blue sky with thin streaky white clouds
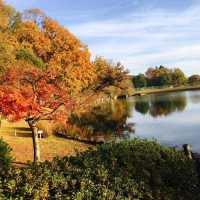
138, 33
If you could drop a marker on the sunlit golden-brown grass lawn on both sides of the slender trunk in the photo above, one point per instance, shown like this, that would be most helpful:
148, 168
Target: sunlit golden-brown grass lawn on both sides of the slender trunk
50, 147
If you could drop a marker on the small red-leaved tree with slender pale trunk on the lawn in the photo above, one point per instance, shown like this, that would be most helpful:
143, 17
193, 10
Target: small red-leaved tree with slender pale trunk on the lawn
31, 94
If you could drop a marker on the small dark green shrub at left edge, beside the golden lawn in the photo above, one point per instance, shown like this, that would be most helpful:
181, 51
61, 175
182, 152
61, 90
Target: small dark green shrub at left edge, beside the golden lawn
5, 156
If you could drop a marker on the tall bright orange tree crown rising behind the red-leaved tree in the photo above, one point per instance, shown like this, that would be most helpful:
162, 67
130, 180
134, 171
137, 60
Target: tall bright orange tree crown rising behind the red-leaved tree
70, 56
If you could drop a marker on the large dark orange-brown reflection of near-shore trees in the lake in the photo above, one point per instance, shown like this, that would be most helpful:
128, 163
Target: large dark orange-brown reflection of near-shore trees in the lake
102, 123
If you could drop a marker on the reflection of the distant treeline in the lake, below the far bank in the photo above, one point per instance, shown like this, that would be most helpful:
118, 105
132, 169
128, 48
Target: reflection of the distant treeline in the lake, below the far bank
161, 105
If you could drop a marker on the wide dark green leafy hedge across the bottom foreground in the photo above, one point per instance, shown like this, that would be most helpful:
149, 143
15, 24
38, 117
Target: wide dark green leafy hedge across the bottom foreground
129, 170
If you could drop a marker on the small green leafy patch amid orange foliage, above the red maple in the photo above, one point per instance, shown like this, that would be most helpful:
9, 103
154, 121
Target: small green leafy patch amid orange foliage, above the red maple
29, 56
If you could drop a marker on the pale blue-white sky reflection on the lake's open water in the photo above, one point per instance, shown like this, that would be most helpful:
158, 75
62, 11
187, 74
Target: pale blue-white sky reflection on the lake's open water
175, 129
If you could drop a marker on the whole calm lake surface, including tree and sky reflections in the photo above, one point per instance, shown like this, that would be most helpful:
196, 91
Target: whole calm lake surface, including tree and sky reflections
172, 119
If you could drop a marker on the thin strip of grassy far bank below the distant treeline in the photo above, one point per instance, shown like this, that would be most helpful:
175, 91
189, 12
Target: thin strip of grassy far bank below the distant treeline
147, 91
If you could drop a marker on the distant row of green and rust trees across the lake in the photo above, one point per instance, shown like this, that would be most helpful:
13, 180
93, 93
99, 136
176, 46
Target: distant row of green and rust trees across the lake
163, 76
